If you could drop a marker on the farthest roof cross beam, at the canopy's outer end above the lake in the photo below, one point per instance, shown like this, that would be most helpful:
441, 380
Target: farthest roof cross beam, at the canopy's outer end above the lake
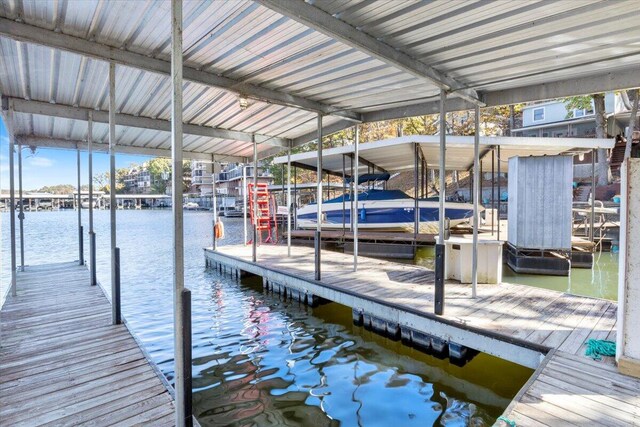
69, 144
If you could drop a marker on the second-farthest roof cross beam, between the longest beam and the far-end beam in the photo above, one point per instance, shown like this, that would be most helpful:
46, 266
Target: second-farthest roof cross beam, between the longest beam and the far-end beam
78, 113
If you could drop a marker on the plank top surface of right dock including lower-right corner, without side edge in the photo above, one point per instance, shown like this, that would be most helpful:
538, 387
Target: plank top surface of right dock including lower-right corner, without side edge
568, 389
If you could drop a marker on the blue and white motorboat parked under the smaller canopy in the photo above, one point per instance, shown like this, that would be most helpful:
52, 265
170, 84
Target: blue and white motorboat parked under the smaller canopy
383, 210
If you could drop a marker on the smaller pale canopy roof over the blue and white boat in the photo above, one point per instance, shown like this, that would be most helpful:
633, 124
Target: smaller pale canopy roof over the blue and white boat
397, 154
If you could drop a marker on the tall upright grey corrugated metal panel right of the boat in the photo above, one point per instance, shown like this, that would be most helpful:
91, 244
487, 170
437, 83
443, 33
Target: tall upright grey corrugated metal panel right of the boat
540, 202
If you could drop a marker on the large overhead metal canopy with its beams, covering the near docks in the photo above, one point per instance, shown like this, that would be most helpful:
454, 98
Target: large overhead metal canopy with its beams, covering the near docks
350, 60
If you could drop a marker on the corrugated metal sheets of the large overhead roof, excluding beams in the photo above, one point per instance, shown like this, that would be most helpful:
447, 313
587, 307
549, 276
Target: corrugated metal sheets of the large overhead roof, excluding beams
487, 46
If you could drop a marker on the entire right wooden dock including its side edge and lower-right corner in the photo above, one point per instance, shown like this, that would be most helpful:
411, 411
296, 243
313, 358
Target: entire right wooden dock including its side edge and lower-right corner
535, 327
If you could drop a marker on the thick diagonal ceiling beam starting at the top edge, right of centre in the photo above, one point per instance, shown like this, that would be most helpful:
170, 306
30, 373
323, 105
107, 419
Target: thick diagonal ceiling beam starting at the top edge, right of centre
321, 21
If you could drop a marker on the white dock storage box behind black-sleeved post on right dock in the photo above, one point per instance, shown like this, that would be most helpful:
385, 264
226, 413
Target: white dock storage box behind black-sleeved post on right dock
458, 260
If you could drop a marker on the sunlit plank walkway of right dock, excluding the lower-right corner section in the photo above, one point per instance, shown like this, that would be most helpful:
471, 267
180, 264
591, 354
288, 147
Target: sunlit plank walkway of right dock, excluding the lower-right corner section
540, 316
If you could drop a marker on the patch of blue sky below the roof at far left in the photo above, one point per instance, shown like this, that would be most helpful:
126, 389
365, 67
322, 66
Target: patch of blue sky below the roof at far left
49, 166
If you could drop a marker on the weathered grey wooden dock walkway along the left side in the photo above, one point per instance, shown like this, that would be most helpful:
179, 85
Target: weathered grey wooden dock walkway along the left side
62, 362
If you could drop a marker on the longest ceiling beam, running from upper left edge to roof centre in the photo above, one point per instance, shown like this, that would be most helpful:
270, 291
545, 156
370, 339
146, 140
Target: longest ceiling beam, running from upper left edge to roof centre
31, 34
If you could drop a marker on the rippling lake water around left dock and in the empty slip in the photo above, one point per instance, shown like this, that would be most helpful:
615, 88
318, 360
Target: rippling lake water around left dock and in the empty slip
258, 360
